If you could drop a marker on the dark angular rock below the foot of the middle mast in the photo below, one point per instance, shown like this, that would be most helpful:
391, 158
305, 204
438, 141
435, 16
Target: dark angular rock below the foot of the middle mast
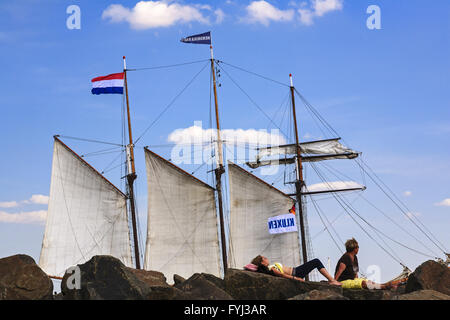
203, 287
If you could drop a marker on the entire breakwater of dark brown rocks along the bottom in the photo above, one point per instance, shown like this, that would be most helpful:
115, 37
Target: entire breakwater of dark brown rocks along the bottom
106, 278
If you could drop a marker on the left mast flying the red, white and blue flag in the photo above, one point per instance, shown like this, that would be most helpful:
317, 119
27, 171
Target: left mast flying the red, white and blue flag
131, 177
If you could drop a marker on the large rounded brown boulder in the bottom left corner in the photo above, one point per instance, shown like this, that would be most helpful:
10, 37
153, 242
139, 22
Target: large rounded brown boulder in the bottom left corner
22, 279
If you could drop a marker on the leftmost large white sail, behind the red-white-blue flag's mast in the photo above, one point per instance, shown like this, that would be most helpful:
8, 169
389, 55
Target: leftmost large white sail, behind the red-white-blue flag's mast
87, 216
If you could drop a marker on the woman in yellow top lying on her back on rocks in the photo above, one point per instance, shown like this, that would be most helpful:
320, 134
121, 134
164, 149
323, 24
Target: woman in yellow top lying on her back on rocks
298, 273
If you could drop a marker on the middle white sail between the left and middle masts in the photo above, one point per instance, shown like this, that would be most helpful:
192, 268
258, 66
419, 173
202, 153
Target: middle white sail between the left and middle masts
182, 232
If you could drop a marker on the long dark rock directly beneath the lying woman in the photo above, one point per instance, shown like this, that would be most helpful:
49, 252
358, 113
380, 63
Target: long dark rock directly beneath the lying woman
247, 285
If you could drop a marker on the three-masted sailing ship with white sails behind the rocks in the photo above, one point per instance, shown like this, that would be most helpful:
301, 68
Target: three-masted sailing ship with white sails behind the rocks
187, 229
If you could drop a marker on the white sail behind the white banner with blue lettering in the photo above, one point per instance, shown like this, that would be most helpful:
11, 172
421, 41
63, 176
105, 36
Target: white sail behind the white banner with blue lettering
253, 202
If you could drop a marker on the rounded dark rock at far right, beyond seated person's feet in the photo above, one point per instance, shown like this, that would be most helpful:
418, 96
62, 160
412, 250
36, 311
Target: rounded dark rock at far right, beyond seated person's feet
430, 275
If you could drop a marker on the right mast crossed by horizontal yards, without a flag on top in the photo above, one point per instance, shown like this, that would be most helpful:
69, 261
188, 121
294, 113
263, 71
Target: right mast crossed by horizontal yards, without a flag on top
299, 183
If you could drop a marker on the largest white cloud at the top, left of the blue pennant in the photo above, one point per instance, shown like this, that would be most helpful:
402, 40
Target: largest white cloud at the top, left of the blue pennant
157, 14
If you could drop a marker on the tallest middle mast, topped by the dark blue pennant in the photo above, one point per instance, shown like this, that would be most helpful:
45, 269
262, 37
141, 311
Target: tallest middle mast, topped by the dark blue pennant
220, 169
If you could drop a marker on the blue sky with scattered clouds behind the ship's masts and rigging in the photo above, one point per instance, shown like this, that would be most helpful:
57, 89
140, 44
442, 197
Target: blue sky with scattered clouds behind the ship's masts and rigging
385, 91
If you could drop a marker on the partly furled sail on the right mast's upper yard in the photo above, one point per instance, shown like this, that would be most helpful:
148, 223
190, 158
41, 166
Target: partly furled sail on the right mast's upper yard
324, 147
